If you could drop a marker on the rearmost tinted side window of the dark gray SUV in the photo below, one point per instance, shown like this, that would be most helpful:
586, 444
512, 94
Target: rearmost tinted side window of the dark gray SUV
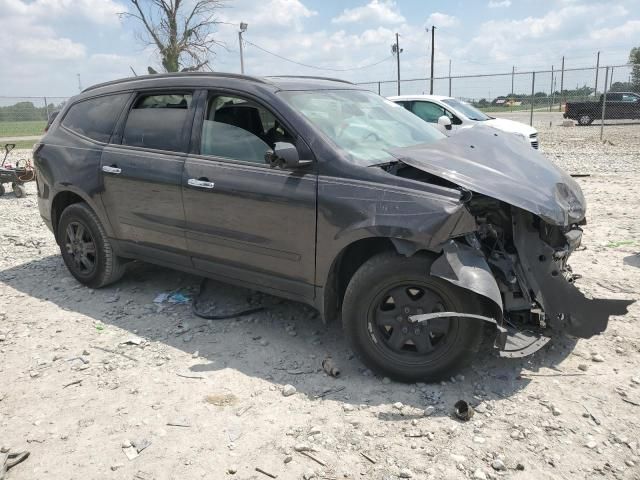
95, 118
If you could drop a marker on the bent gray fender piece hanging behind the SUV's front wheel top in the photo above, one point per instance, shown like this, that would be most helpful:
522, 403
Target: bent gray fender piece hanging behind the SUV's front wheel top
467, 268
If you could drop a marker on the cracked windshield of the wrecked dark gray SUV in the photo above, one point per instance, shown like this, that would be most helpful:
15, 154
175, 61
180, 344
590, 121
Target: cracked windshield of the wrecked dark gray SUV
362, 124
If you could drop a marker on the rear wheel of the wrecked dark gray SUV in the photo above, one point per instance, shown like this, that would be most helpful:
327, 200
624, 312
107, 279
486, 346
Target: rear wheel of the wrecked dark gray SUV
86, 249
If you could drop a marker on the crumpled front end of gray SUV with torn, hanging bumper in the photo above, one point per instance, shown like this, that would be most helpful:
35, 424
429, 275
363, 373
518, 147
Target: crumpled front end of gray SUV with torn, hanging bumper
519, 264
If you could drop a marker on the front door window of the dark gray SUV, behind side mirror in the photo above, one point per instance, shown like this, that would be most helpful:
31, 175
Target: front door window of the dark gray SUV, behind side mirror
239, 129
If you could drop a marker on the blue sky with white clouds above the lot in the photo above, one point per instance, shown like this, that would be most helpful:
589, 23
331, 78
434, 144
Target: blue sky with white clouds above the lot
44, 44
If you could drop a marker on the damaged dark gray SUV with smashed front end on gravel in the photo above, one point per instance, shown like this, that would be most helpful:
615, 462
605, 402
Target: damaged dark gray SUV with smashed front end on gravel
318, 191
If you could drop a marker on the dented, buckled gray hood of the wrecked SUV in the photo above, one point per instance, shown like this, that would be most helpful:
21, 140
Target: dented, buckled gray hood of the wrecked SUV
503, 167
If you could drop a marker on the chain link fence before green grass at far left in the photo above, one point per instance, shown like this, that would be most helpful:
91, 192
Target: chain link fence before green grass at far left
23, 119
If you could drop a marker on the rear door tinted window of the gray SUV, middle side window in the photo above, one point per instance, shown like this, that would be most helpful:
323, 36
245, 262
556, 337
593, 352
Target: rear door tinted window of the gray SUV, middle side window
157, 121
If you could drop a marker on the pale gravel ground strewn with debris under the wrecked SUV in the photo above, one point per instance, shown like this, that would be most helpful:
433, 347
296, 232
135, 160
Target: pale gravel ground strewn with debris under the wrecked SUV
89, 377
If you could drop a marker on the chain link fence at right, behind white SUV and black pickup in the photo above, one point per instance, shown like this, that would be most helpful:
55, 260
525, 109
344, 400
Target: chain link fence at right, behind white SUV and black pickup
545, 99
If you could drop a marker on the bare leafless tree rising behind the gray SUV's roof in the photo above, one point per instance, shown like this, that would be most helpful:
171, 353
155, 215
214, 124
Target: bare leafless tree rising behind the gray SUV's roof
181, 30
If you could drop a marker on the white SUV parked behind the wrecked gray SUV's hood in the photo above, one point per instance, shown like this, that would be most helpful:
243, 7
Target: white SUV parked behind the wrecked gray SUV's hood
458, 115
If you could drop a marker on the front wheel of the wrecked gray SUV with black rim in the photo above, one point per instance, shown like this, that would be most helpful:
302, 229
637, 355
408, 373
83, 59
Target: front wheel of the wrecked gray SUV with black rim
382, 295
